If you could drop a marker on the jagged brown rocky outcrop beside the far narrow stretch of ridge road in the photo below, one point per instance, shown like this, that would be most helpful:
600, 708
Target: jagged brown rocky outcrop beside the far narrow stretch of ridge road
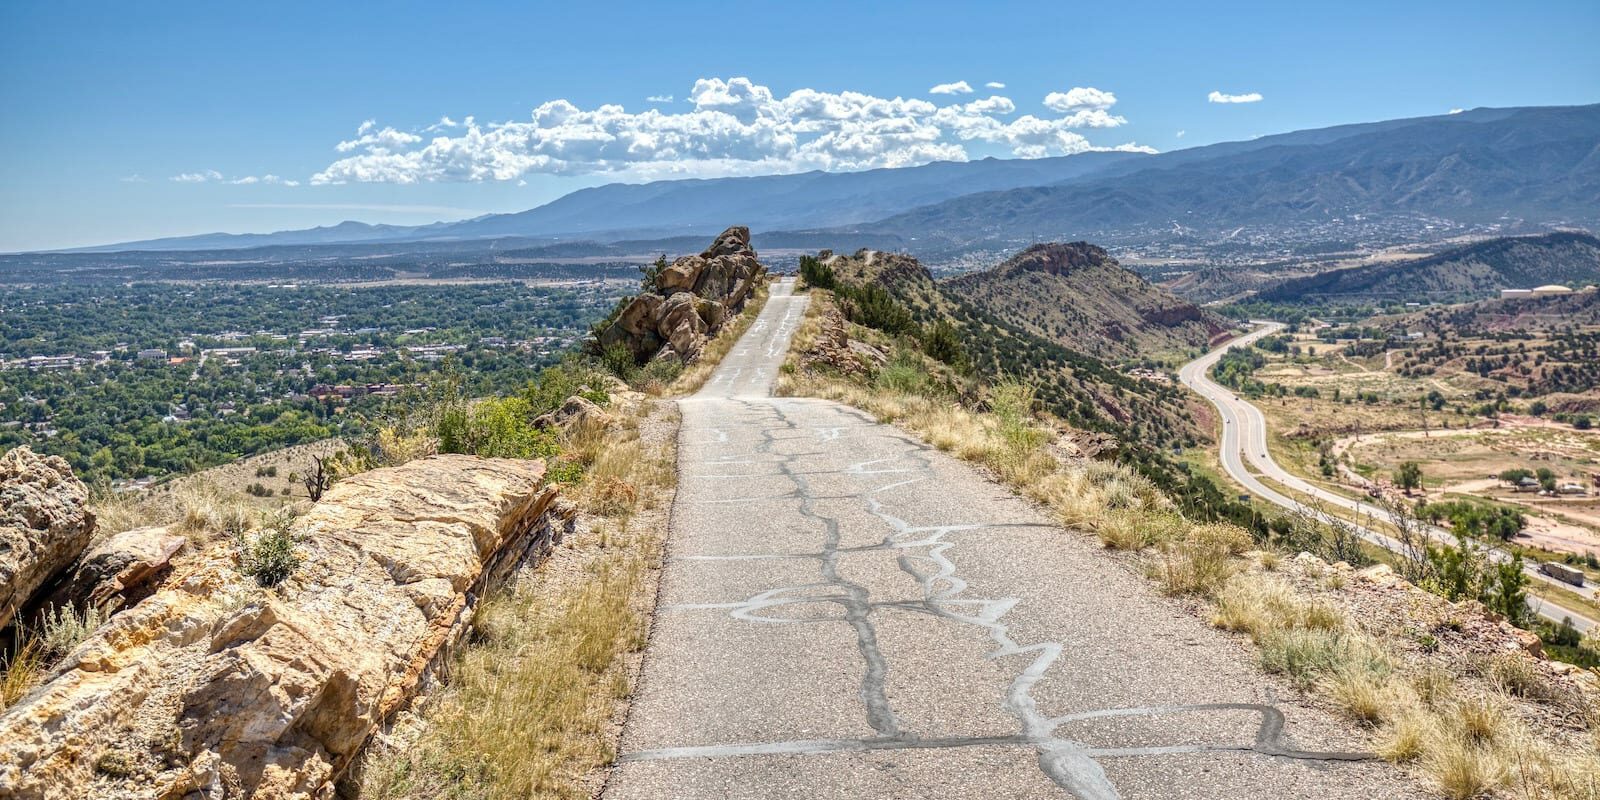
694, 298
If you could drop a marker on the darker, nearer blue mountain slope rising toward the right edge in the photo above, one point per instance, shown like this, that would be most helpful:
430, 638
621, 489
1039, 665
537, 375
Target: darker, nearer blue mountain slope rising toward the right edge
1484, 166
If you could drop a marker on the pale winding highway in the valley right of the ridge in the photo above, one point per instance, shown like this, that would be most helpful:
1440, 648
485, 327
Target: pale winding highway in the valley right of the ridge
1246, 441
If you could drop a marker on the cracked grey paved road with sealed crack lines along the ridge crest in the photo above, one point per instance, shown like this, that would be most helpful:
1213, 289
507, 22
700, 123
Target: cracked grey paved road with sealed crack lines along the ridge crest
849, 614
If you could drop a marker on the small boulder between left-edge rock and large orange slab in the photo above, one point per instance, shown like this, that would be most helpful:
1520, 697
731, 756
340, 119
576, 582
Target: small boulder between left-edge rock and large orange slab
121, 570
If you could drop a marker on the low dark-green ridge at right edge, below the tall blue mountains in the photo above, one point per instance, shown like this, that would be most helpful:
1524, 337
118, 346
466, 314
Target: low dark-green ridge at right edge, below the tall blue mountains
1476, 271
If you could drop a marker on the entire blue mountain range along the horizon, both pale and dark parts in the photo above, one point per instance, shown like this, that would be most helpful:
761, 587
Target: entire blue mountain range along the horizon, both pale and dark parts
1502, 167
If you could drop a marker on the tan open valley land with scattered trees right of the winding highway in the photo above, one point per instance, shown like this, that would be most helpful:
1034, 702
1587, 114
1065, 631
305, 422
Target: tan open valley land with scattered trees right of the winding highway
1351, 412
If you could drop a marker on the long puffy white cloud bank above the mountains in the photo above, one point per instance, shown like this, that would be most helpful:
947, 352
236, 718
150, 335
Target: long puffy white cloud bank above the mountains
730, 127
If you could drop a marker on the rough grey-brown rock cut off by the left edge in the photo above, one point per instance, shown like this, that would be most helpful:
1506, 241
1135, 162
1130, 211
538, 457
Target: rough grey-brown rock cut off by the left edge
44, 524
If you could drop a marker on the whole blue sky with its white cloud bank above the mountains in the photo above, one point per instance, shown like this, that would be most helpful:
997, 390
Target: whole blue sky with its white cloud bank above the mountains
105, 105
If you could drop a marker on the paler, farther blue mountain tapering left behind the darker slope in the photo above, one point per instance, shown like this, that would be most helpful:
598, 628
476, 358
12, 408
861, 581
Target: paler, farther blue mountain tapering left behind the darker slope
698, 207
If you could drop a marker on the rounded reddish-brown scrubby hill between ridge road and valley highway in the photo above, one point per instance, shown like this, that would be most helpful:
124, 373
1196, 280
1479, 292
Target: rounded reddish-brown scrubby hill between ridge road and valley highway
1081, 298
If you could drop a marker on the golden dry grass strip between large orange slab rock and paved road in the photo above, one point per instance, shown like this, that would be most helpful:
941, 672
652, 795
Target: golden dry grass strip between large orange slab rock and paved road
527, 711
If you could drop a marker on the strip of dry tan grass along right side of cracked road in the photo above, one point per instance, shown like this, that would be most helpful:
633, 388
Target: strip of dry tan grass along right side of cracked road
1471, 724
